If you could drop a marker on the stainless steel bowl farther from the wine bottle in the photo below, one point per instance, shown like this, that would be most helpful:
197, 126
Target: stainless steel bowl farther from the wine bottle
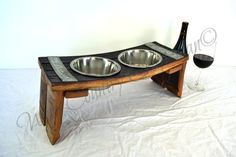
95, 66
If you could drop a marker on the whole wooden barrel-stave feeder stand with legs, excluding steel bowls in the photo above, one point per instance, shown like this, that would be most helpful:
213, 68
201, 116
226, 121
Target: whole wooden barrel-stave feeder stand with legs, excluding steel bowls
169, 74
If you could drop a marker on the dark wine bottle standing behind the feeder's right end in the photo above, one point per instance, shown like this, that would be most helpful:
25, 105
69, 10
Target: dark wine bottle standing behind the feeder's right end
180, 46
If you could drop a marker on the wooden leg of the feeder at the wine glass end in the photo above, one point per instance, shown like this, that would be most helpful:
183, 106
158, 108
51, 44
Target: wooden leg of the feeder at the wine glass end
172, 79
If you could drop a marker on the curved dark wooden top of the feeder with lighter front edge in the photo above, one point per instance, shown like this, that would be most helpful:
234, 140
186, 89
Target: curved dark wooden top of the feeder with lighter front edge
126, 74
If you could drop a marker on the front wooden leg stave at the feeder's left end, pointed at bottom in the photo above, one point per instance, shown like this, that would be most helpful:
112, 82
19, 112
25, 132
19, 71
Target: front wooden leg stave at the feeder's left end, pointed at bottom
54, 112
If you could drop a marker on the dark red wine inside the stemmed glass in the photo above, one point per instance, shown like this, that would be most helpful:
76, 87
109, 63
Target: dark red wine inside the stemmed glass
202, 60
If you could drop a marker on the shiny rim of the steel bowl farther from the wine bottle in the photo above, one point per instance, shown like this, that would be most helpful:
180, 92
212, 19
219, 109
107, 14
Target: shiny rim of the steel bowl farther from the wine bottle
92, 74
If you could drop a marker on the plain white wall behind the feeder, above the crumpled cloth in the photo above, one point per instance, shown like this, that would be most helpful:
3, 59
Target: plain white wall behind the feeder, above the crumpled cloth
29, 29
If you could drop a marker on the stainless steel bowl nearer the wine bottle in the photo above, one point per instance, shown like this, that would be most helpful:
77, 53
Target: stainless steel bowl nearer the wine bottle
140, 58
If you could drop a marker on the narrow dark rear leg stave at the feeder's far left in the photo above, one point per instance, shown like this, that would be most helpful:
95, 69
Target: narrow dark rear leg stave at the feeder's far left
43, 99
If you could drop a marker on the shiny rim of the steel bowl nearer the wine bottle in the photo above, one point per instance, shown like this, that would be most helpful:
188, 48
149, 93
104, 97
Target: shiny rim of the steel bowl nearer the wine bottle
145, 50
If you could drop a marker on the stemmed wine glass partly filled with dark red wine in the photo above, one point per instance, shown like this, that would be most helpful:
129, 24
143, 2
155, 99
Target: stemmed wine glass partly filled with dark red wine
202, 59
